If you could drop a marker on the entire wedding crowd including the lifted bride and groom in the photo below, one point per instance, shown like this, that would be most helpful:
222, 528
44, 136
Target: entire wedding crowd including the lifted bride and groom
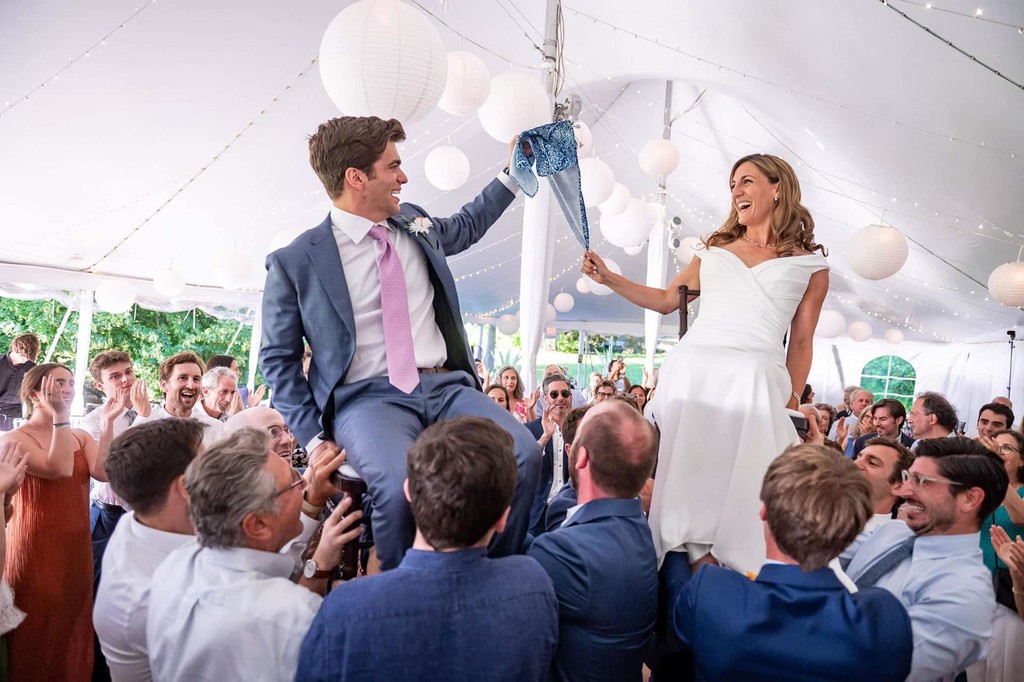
487, 532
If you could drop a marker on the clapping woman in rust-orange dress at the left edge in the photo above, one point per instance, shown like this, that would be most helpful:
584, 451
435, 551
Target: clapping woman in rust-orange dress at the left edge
50, 552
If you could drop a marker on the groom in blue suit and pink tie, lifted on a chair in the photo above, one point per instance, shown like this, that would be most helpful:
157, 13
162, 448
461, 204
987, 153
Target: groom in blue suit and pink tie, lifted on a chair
371, 292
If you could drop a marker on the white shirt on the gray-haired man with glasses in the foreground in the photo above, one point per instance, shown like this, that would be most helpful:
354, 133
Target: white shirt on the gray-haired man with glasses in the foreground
227, 615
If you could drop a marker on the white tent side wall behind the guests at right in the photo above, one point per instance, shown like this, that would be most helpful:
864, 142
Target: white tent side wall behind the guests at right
969, 375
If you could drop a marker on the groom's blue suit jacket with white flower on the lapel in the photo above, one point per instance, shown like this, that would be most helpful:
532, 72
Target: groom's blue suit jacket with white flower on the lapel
307, 296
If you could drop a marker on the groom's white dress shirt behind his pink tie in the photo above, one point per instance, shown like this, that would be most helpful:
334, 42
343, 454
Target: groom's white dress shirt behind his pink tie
359, 260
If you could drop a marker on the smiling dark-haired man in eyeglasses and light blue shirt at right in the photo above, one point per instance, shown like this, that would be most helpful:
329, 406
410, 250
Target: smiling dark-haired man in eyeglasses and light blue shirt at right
932, 564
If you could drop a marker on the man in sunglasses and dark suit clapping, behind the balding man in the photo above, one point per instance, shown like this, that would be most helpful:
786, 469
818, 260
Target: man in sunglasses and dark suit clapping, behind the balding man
548, 432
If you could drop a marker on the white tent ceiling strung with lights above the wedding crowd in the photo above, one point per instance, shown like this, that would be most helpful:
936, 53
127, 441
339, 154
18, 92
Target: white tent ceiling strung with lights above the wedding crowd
181, 140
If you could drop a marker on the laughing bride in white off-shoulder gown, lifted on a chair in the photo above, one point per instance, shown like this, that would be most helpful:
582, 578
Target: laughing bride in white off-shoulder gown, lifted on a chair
723, 391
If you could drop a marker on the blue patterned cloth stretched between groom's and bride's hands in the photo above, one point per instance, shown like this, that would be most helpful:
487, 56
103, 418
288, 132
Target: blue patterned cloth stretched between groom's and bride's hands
554, 152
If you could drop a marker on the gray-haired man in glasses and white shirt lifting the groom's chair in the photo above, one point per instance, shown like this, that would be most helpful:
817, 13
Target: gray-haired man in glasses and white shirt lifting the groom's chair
226, 609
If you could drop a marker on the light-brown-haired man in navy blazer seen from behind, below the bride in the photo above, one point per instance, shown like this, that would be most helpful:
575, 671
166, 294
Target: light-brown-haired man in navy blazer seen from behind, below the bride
797, 621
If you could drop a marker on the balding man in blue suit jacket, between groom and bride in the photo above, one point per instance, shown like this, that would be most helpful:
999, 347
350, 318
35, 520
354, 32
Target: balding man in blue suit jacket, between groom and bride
603, 560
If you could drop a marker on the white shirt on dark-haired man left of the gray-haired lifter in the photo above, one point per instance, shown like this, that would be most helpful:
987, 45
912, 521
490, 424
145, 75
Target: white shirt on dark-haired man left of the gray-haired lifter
122, 602
